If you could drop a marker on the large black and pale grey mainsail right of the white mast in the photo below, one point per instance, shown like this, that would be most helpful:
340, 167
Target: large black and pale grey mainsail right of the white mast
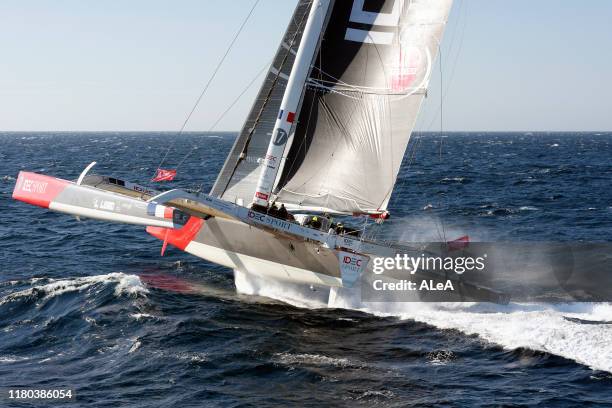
361, 104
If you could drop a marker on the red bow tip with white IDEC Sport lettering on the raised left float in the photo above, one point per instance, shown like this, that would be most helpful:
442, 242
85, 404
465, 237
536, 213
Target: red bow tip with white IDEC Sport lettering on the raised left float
38, 189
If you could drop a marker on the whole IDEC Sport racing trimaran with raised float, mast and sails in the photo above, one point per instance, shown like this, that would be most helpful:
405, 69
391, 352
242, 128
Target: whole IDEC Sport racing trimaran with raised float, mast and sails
327, 134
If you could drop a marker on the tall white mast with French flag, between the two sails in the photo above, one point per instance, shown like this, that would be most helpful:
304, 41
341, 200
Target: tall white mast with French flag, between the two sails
291, 99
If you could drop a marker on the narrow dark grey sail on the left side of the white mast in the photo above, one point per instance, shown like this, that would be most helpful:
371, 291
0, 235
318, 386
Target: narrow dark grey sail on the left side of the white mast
238, 178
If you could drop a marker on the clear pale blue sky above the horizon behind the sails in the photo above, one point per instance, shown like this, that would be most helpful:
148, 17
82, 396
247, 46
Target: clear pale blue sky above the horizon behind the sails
140, 64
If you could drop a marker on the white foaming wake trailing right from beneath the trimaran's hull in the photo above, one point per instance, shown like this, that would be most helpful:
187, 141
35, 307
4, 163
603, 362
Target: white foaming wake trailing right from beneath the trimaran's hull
557, 329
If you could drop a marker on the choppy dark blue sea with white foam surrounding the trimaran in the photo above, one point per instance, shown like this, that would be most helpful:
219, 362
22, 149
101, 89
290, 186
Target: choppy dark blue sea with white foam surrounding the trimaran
92, 306
